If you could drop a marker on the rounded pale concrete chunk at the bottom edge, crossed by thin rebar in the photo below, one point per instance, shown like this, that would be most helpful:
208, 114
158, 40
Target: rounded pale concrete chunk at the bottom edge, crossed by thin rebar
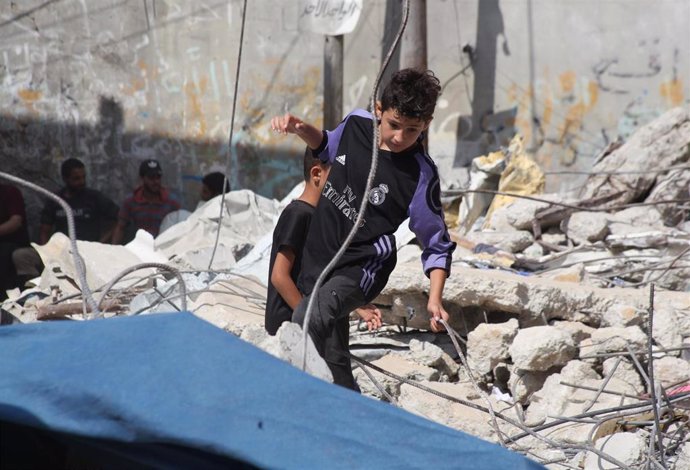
626, 447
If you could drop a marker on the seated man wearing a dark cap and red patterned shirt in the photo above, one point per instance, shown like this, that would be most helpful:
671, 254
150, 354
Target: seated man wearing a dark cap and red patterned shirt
148, 205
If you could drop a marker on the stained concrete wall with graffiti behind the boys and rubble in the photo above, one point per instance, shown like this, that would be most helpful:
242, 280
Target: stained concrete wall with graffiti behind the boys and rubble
115, 82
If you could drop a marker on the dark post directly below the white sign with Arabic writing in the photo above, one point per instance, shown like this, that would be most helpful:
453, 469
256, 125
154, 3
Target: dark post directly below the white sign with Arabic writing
333, 81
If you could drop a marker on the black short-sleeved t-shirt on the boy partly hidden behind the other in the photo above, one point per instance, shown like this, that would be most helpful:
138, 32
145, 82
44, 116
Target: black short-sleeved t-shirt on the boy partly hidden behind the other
291, 231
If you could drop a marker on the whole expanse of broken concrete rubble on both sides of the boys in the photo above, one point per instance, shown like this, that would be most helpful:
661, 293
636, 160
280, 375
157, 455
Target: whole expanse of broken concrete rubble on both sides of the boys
569, 336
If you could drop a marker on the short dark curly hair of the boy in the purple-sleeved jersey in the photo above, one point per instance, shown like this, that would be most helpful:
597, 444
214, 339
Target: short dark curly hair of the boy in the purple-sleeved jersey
413, 93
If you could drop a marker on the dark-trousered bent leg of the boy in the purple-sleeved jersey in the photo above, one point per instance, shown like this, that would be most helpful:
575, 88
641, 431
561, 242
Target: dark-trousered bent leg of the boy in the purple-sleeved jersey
329, 324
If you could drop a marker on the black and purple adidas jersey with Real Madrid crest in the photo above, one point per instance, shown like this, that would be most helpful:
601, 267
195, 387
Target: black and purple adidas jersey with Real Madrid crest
406, 185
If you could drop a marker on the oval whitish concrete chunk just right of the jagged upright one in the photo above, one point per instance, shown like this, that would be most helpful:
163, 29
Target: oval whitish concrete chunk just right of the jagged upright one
540, 348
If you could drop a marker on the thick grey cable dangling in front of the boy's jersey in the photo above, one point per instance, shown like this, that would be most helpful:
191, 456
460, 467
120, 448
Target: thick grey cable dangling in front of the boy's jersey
370, 181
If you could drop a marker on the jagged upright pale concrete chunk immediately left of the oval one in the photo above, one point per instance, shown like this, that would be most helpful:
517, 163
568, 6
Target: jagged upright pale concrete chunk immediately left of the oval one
488, 343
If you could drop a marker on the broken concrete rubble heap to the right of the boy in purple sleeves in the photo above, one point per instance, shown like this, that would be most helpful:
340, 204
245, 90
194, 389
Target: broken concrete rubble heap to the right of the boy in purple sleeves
552, 293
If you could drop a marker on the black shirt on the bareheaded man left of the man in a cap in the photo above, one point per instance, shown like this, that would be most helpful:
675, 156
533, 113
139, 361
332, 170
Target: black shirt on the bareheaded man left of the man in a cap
93, 213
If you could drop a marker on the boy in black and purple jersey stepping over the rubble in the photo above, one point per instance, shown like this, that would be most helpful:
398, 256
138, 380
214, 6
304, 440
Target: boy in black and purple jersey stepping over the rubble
406, 185
